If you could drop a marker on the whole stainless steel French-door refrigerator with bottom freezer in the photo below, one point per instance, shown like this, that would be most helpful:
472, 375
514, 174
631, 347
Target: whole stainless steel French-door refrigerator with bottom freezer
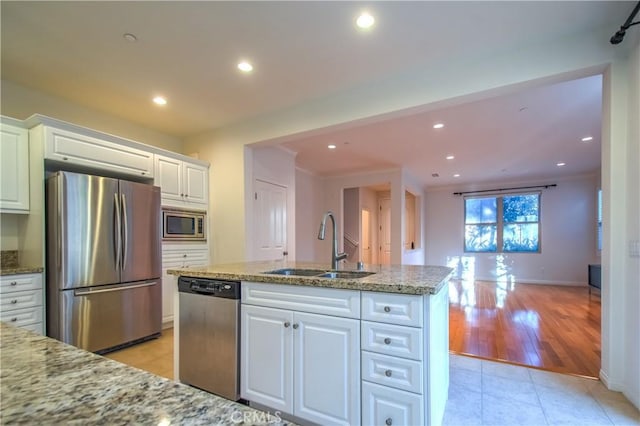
104, 286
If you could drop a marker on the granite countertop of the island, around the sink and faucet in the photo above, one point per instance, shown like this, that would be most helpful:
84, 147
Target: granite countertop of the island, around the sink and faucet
406, 279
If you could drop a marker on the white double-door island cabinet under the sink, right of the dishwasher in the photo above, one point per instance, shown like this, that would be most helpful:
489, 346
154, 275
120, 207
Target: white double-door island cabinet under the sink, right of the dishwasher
301, 363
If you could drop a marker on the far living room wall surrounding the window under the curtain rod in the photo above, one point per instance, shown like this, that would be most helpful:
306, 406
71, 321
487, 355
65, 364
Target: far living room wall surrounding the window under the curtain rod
568, 235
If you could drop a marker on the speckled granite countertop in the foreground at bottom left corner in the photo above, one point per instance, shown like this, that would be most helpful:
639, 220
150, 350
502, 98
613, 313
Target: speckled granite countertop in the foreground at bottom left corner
44, 381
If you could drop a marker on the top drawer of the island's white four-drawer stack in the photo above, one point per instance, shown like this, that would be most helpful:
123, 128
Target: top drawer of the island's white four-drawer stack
401, 309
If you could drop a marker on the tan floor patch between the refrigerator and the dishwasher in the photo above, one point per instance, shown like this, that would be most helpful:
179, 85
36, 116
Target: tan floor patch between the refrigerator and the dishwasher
154, 356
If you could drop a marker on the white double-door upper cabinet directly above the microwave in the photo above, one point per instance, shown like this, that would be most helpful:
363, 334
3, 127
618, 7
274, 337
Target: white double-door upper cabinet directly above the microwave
183, 184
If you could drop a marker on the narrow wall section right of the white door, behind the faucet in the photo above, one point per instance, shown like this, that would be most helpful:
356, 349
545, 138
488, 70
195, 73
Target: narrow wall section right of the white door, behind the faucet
309, 211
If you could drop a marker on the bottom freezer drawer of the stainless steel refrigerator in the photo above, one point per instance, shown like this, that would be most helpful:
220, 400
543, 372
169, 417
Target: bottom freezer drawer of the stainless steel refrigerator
102, 317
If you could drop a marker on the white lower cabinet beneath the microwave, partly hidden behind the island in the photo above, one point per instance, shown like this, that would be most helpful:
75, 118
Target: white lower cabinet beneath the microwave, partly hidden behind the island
178, 256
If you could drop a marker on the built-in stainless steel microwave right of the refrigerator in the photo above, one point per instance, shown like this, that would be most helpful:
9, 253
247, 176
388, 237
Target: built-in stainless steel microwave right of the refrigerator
183, 225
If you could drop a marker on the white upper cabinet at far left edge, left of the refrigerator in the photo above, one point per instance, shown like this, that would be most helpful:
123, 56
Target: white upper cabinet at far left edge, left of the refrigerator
14, 168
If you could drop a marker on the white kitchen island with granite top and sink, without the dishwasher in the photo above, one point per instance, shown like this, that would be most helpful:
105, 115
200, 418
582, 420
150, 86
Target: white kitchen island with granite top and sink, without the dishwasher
355, 347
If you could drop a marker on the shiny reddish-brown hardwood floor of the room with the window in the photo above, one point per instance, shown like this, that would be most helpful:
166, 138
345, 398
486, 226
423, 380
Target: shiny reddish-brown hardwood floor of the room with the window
556, 328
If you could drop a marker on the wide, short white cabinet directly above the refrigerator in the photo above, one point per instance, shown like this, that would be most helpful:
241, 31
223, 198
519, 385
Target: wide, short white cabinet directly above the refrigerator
87, 151
